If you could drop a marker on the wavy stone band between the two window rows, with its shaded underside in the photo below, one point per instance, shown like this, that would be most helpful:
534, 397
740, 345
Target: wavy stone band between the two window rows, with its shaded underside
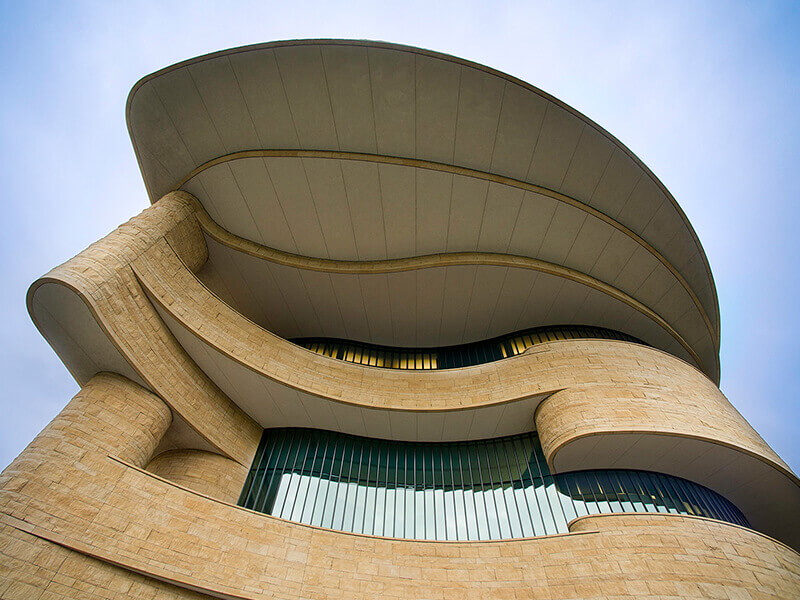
597, 389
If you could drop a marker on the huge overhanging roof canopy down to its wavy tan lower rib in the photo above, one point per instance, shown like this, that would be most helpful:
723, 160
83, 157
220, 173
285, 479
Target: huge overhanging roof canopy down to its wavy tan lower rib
355, 151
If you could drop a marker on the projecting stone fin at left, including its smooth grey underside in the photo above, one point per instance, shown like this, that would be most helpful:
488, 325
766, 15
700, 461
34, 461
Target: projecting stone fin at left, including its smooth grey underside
135, 340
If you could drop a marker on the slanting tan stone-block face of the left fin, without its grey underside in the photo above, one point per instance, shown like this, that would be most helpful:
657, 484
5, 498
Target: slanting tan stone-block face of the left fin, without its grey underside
102, 276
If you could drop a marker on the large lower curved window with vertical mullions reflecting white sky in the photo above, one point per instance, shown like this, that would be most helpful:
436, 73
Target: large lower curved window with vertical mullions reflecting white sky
489, 489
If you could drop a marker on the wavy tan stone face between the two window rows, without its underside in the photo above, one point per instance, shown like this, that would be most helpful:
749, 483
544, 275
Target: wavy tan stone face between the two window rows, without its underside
687, 401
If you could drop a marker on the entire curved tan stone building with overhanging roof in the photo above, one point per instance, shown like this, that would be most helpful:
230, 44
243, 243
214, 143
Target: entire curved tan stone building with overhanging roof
452, 335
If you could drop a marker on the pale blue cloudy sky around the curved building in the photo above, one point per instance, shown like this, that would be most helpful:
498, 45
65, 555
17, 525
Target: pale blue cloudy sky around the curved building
706, 94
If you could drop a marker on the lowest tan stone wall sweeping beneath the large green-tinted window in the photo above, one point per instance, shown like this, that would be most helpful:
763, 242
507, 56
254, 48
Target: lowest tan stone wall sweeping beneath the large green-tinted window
84, 500
